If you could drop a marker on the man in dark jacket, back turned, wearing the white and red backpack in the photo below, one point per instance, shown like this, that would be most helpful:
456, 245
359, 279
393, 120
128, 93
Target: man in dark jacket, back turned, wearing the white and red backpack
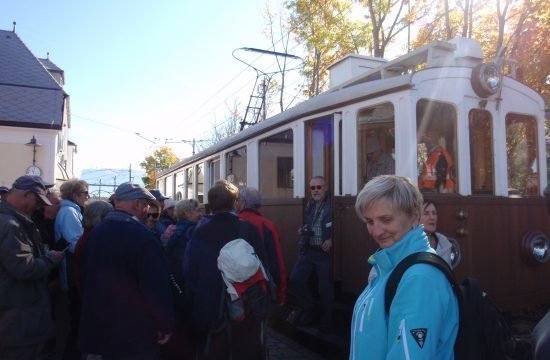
244, 341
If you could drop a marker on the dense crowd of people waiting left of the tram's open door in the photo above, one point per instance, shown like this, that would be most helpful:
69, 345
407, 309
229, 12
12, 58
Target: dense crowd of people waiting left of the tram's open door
134, 277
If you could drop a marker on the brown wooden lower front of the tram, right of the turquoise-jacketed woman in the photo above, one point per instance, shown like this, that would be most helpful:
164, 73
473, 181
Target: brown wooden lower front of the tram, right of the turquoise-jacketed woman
491, 249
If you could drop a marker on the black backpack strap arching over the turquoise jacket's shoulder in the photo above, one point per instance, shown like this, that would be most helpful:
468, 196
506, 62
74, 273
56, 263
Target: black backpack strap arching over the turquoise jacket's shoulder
417, 258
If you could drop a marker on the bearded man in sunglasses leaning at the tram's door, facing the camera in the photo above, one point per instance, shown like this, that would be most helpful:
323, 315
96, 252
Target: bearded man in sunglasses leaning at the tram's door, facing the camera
315, 258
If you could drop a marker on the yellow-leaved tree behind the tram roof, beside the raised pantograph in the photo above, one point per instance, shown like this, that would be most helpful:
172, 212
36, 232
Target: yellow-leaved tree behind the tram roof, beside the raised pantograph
327, 31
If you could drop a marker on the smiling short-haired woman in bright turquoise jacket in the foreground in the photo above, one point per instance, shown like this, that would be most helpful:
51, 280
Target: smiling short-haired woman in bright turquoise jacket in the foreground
423, 319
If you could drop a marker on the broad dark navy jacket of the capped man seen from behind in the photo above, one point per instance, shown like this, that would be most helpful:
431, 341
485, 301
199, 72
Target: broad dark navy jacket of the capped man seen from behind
126, 290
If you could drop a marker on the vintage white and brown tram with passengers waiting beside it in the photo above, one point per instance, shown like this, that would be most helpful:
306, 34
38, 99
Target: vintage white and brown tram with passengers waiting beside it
491, 200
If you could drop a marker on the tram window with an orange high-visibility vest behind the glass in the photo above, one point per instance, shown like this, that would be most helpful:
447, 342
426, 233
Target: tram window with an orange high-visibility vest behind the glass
436, 131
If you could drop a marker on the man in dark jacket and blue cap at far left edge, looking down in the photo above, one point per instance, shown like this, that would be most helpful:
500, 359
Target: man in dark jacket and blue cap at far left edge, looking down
25, 318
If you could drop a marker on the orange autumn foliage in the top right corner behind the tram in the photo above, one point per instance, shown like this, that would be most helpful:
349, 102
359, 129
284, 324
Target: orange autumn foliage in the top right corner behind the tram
518, 29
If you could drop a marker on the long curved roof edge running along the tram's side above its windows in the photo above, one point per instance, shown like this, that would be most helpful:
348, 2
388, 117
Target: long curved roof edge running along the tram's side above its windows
323, 102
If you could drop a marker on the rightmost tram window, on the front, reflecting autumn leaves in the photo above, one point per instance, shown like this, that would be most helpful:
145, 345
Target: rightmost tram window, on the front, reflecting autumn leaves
521, 154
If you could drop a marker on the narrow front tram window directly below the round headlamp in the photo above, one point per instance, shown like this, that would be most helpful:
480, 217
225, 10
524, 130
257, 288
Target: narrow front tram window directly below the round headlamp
481, 151
